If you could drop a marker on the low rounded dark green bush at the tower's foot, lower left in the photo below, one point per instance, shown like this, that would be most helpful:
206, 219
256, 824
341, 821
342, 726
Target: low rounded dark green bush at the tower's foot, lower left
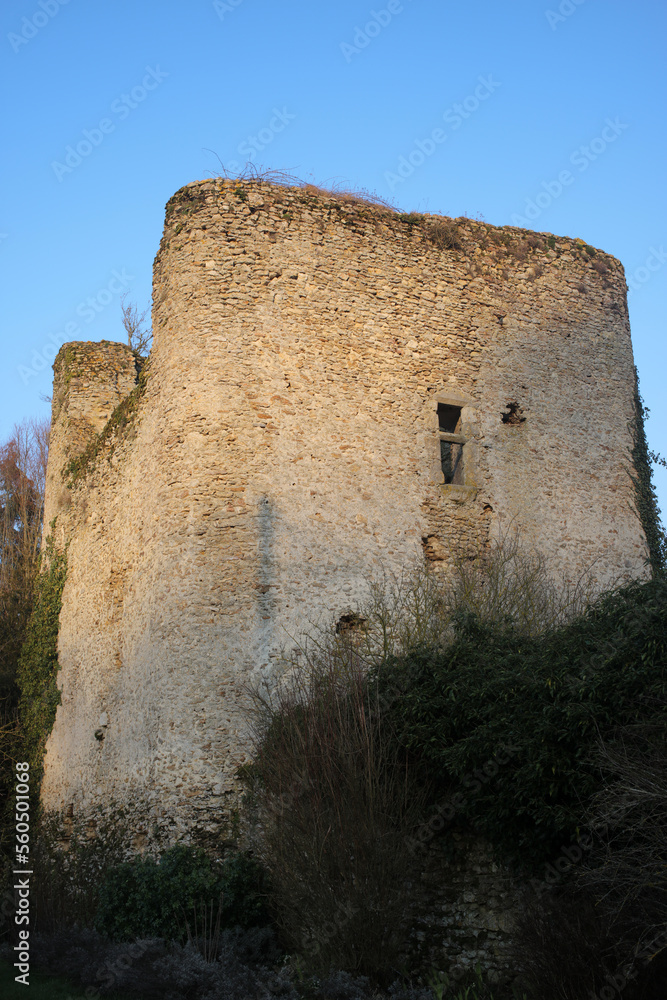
147, 898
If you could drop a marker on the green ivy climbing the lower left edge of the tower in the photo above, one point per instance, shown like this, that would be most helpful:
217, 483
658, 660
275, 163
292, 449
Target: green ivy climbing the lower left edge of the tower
38, 664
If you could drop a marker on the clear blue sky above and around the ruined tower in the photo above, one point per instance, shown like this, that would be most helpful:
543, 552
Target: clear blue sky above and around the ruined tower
109, 106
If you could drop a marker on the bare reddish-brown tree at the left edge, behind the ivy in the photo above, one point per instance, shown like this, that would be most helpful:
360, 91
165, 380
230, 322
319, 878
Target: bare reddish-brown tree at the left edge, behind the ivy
22, 481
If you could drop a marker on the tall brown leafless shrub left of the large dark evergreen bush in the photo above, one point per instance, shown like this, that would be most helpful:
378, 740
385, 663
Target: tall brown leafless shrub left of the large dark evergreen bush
337, 806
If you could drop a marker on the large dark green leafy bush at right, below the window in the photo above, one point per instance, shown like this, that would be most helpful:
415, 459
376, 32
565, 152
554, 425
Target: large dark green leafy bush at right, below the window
549, 697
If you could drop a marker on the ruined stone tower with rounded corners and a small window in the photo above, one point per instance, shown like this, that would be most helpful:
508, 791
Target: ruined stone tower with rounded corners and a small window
334, 388
